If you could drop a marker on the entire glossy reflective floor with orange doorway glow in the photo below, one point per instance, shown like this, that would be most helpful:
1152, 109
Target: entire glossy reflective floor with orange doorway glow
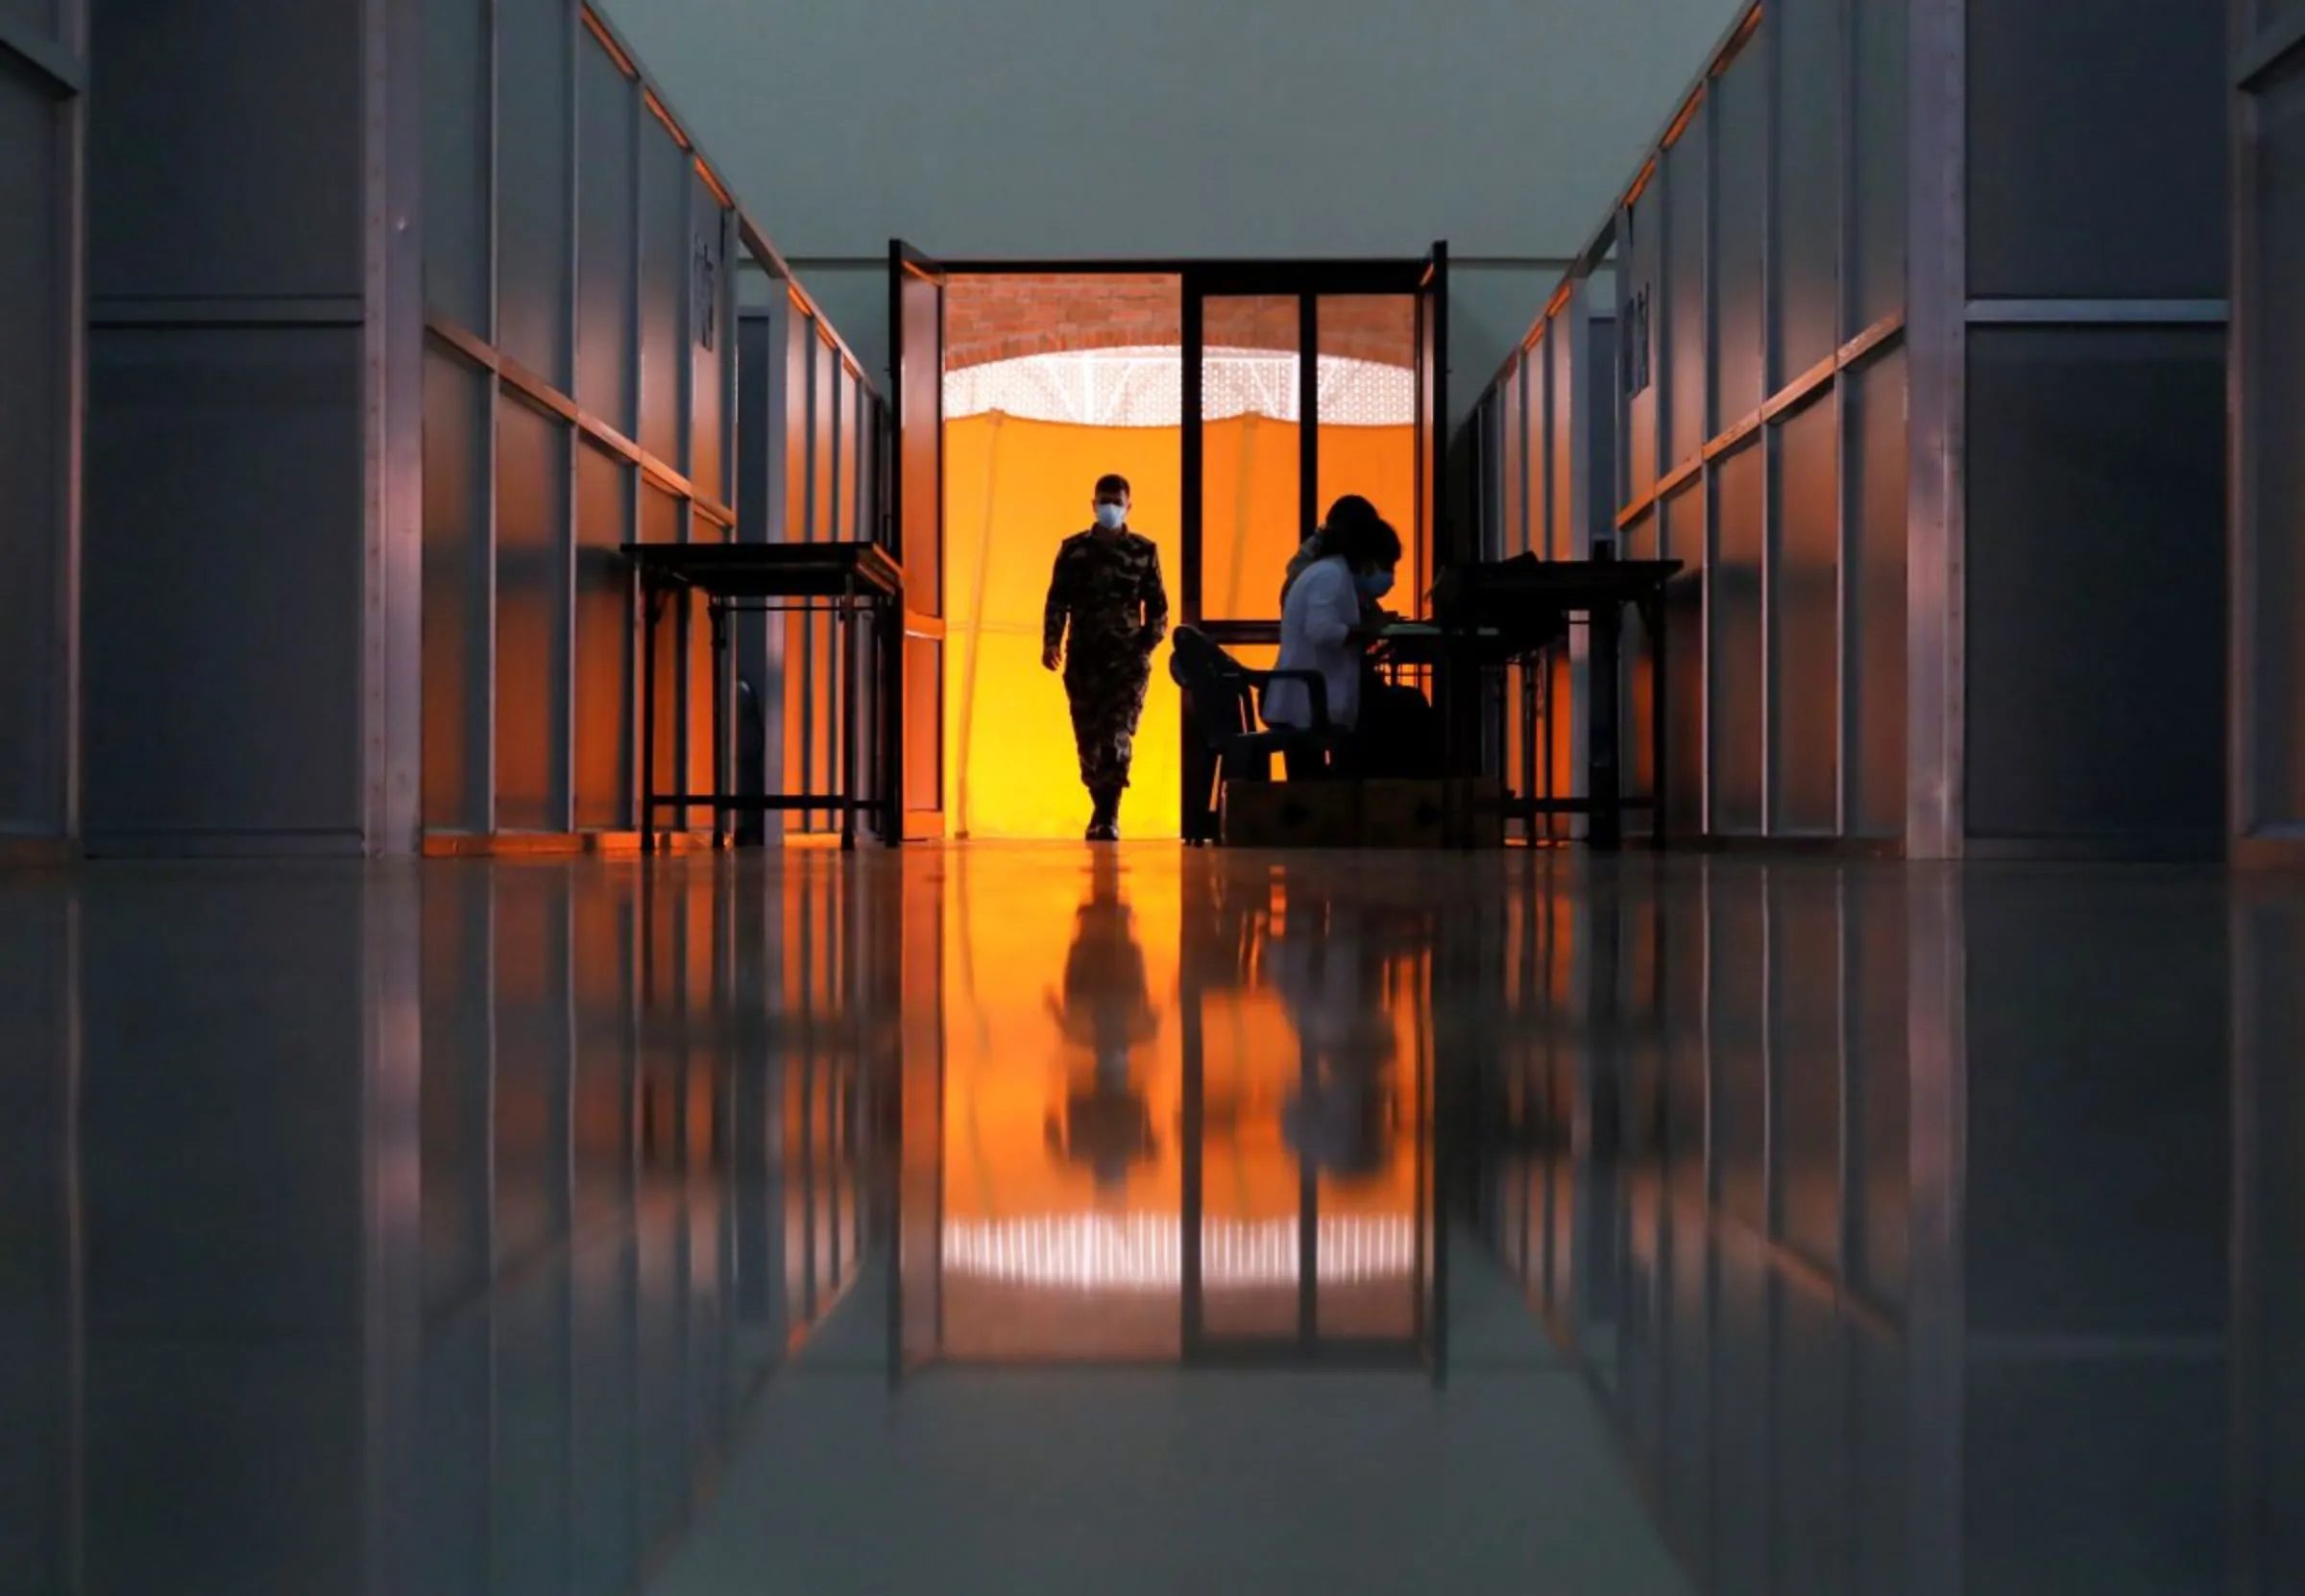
1138, 1221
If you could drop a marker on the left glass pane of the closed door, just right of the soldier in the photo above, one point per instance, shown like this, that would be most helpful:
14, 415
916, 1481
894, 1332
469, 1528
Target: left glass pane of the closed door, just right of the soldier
1250, 460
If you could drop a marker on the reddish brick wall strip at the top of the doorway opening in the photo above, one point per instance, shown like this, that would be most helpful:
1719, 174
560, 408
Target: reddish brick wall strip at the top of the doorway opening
1011, 317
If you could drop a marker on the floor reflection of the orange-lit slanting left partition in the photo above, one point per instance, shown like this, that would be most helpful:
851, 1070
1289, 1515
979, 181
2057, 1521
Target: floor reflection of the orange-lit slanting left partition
635, 1203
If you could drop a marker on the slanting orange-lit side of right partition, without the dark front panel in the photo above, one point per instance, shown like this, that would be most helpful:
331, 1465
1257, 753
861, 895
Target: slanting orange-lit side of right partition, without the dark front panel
1748, 426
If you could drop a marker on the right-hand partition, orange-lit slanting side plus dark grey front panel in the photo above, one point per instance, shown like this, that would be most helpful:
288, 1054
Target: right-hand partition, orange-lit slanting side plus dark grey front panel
1843, 345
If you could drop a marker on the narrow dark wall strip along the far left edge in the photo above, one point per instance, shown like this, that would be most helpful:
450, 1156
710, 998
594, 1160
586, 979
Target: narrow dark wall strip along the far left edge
43, 86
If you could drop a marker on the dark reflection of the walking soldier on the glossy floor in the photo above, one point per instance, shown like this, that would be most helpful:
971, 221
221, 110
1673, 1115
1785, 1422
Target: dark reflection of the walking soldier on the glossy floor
1108, 1014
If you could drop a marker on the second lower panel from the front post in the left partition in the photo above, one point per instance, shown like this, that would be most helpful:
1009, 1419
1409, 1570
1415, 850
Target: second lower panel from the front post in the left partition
531, 617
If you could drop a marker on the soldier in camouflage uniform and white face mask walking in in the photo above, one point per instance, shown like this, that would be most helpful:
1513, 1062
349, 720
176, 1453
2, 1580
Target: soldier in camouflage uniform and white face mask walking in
1105, 617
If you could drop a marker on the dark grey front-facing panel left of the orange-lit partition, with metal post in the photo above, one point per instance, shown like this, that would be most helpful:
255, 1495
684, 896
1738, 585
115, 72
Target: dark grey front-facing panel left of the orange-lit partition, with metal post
250, 483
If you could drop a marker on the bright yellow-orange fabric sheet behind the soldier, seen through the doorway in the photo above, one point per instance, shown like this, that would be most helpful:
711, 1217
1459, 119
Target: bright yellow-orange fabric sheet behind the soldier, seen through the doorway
1013, 492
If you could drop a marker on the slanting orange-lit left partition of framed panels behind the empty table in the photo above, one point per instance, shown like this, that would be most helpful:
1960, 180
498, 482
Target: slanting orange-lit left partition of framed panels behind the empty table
582, 391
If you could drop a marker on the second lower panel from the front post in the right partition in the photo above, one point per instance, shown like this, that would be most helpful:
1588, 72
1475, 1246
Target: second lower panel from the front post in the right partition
1806, 598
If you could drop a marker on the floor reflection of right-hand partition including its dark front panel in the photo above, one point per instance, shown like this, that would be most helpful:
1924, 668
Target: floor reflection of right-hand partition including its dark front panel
1882, 1260
